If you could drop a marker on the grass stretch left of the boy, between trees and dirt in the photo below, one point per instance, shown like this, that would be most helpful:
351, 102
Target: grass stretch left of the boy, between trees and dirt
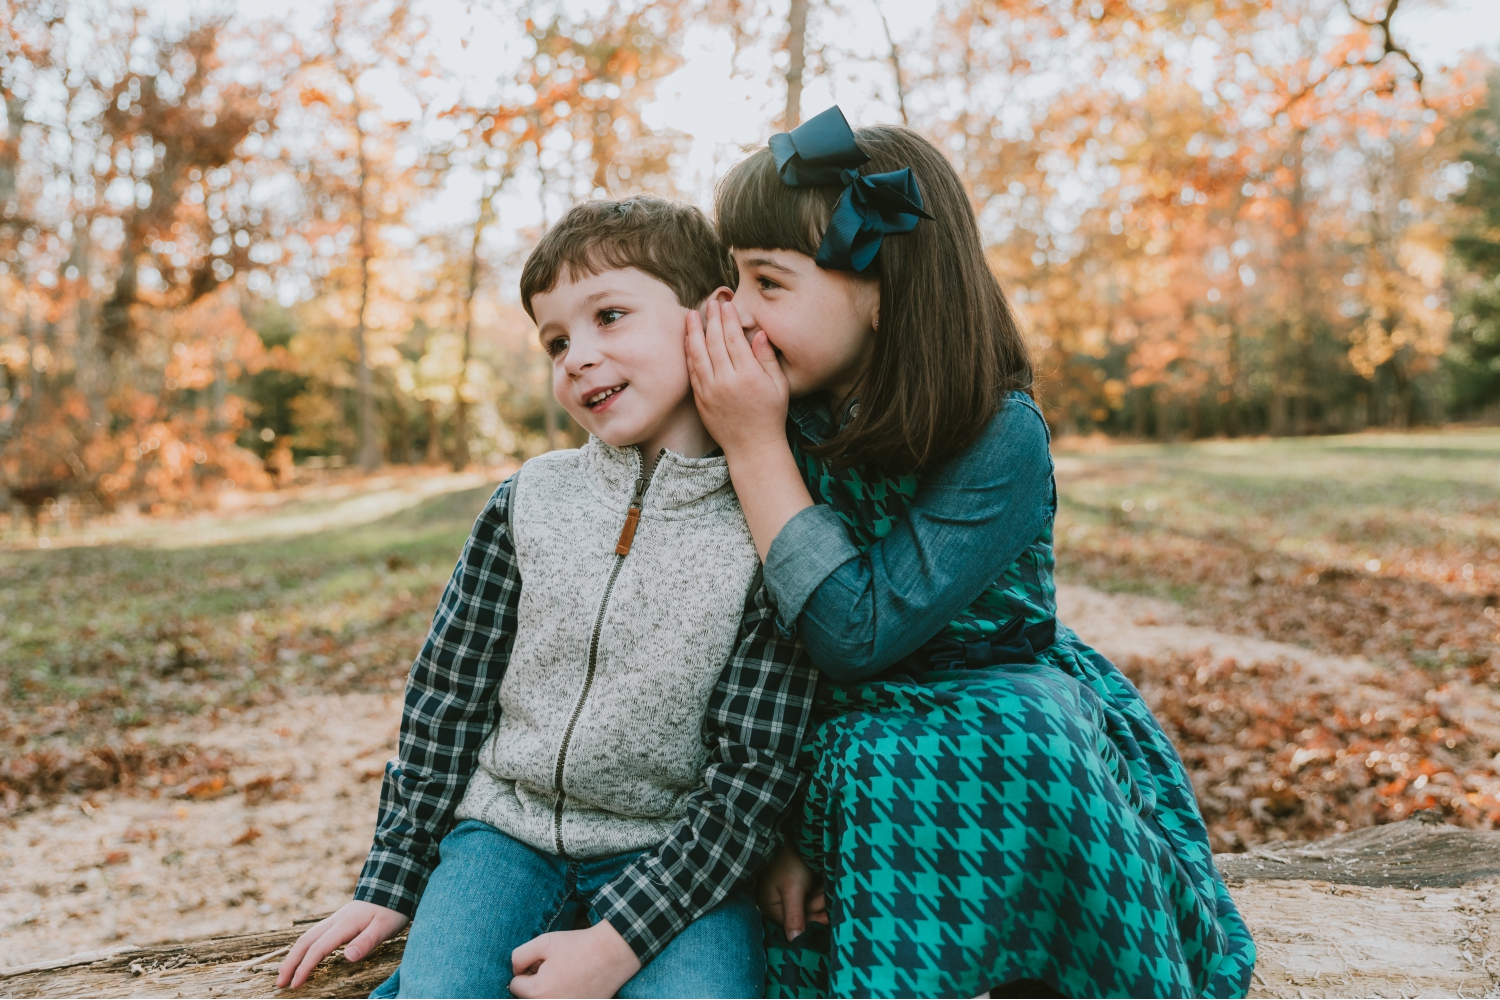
107, 638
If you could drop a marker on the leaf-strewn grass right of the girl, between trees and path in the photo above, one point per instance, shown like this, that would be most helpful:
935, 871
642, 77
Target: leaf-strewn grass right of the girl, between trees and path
1378, 545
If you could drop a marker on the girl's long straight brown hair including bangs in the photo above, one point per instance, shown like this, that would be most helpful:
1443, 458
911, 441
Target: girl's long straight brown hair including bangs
947, 350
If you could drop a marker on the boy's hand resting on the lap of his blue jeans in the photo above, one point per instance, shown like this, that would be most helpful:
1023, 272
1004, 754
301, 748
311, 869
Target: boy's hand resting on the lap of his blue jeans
593, 963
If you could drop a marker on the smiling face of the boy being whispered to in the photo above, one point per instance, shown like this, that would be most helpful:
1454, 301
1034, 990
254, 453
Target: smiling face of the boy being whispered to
619, 368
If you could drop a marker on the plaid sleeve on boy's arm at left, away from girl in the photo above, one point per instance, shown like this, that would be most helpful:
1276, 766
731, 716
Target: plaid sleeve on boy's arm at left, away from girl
451, 708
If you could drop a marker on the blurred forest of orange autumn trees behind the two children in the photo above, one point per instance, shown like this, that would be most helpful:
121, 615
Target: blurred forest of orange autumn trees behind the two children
232, 247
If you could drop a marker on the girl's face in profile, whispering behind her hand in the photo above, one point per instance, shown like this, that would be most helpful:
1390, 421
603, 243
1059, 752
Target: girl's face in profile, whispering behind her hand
821, 323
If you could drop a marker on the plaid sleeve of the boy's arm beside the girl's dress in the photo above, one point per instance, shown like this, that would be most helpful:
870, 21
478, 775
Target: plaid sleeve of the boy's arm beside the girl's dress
755, 726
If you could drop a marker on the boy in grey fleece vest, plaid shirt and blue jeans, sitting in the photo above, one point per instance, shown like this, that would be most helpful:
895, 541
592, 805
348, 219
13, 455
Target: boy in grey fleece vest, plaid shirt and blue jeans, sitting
604, 705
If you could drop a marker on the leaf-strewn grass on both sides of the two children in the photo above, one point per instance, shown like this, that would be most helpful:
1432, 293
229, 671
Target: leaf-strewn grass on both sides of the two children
1378, 545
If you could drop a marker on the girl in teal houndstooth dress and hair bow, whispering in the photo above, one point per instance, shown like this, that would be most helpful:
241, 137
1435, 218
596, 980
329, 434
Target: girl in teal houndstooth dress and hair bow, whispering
992, 806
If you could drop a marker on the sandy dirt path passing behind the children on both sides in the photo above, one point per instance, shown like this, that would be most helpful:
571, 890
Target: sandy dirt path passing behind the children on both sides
116, 869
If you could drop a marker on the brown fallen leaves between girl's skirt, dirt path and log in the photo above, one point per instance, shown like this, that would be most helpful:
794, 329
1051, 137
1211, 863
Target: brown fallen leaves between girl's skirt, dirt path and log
1277, 755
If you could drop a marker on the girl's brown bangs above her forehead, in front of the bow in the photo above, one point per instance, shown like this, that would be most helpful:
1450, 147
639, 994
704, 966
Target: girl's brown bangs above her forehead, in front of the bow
757, 211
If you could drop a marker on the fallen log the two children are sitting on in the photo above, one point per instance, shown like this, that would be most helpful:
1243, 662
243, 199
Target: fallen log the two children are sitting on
1391, 911
